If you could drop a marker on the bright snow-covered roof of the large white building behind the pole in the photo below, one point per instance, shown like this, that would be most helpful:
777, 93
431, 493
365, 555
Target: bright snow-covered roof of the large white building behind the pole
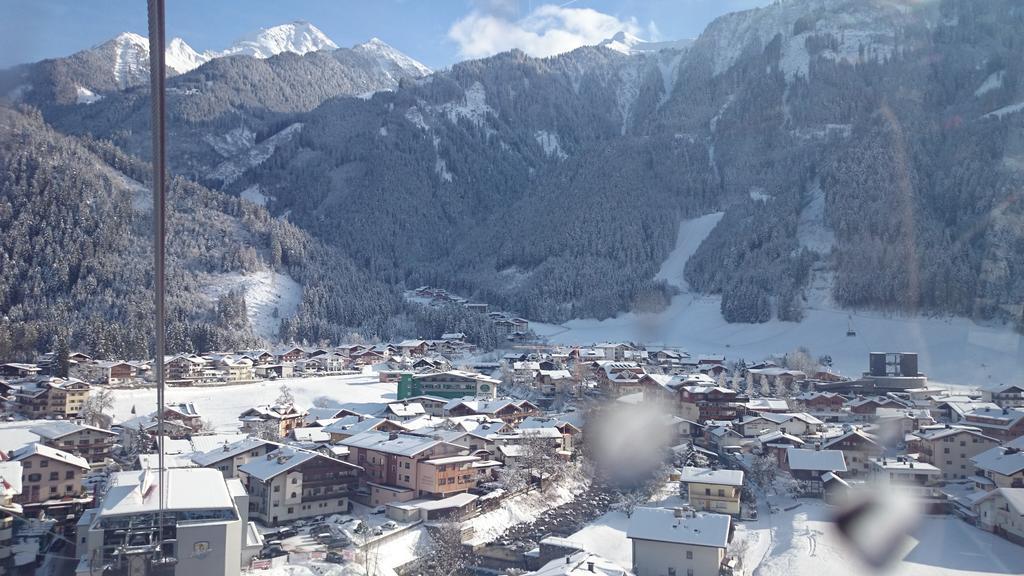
185, 489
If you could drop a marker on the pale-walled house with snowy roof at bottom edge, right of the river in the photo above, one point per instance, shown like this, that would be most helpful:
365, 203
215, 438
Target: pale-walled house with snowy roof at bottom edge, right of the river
682, 542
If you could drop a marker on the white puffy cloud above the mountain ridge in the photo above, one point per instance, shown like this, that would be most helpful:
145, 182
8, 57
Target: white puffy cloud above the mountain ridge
546, 31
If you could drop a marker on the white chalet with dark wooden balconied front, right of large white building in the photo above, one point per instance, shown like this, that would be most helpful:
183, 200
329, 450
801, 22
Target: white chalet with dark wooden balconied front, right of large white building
290, 484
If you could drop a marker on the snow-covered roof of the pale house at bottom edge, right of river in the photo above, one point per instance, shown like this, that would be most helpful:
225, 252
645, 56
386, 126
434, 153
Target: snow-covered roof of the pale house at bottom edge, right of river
664, 525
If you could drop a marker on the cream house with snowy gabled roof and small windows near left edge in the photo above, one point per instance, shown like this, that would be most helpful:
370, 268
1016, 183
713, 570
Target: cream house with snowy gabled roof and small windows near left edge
51, 478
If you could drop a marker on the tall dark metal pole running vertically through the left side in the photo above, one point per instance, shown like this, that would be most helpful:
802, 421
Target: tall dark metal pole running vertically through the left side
156, 13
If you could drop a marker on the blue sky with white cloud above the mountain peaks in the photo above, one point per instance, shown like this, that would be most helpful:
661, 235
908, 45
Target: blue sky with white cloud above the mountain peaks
436, 32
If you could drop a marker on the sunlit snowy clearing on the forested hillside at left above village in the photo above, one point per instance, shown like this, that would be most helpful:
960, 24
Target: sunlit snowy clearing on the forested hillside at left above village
266, 293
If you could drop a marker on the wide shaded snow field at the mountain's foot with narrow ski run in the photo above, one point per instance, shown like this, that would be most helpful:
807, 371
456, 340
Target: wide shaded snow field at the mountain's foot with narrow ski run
952, 350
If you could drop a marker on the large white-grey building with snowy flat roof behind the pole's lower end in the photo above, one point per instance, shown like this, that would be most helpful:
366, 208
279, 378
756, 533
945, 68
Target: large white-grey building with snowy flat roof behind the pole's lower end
206, 530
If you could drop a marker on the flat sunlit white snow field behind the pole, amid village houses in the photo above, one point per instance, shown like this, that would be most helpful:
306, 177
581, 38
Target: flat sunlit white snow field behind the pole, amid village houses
222, 405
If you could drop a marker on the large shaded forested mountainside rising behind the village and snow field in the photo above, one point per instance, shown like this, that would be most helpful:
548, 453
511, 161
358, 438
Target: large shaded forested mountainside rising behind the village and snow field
873, 146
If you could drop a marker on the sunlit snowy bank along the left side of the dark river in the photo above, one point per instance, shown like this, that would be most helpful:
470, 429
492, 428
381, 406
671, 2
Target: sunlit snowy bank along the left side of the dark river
523, 509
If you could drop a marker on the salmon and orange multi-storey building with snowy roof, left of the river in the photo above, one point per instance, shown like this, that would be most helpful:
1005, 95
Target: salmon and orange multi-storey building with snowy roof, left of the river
404, 467
